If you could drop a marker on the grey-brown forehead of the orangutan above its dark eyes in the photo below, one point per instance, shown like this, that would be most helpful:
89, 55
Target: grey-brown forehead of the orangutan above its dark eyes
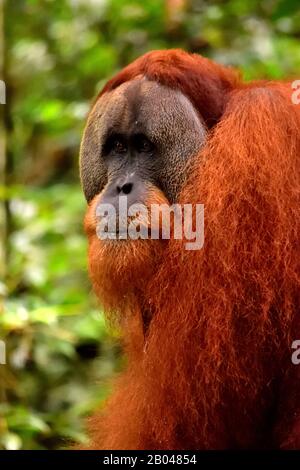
143, 106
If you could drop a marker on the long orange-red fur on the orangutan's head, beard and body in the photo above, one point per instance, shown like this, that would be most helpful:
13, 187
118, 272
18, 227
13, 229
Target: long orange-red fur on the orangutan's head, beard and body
214, 369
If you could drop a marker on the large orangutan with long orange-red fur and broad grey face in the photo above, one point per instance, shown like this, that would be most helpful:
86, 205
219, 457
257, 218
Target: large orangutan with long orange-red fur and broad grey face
207, 332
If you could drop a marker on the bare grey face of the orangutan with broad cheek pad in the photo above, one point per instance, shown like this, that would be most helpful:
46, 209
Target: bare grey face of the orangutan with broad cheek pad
139, 135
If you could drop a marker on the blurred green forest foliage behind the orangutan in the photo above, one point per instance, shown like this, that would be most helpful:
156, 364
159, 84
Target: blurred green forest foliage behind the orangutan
55, 55
